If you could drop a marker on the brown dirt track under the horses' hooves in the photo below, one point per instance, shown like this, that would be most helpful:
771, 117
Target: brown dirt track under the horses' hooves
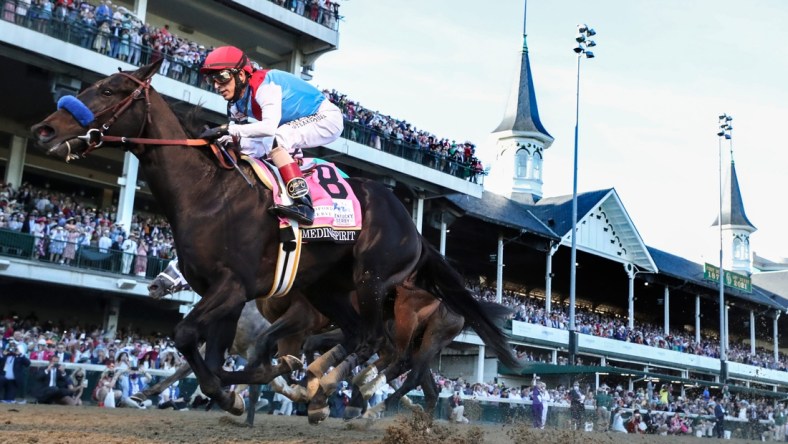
93, 425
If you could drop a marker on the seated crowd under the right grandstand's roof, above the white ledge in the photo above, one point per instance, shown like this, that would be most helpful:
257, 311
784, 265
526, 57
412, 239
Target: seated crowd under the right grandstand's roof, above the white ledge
532, 310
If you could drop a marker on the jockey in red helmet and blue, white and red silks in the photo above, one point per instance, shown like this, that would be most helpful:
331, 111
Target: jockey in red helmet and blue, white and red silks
272, 108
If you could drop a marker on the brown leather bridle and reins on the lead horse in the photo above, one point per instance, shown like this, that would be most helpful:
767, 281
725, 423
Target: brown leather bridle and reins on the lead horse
95, 137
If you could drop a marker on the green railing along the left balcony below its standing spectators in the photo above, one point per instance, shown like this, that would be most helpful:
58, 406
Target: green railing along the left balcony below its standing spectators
26, 246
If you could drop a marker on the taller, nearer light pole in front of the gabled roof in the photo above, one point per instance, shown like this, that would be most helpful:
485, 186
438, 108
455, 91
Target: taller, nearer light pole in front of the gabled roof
583, 43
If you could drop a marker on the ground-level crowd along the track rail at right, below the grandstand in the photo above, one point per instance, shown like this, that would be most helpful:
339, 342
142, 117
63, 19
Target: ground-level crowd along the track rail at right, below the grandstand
662, 409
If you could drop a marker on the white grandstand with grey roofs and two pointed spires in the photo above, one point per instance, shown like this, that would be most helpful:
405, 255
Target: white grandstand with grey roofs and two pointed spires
620, 277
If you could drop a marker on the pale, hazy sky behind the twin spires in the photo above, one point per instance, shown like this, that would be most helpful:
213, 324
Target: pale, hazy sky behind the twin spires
649, 101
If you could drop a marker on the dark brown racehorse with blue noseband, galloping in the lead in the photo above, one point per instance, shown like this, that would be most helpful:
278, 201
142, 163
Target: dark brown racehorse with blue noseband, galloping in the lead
228, 241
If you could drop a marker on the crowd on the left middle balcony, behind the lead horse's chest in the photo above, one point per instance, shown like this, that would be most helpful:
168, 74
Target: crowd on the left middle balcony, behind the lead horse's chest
70, 226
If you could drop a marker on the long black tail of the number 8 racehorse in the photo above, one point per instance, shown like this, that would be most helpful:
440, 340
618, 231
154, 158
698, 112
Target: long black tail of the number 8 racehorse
445, 283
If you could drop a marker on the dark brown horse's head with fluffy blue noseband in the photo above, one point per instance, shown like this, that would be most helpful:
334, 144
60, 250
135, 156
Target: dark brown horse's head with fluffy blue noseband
118, 104
